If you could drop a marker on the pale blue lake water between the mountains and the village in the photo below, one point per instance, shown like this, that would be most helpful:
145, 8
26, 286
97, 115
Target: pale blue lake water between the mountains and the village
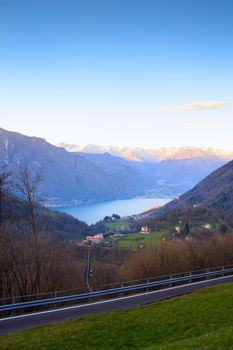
92, 213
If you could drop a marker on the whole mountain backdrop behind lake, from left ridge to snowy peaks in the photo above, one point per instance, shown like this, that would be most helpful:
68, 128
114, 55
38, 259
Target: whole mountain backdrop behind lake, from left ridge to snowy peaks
83, 177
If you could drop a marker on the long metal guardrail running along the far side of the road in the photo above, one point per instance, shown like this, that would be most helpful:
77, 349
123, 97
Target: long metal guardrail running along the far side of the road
169, 280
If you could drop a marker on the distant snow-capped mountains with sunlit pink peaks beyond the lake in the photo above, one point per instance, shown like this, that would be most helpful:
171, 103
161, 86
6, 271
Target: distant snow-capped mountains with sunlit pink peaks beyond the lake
172, 171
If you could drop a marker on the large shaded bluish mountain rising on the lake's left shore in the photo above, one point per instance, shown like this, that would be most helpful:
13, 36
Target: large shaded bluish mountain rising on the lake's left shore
71, 177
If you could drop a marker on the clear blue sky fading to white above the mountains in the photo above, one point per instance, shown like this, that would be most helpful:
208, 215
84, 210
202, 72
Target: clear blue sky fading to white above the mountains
136, 73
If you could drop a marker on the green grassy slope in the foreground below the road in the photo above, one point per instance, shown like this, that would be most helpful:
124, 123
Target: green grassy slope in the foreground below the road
202, 320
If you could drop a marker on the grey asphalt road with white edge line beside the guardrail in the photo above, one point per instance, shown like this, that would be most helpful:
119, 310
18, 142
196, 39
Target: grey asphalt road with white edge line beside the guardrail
18, 323
